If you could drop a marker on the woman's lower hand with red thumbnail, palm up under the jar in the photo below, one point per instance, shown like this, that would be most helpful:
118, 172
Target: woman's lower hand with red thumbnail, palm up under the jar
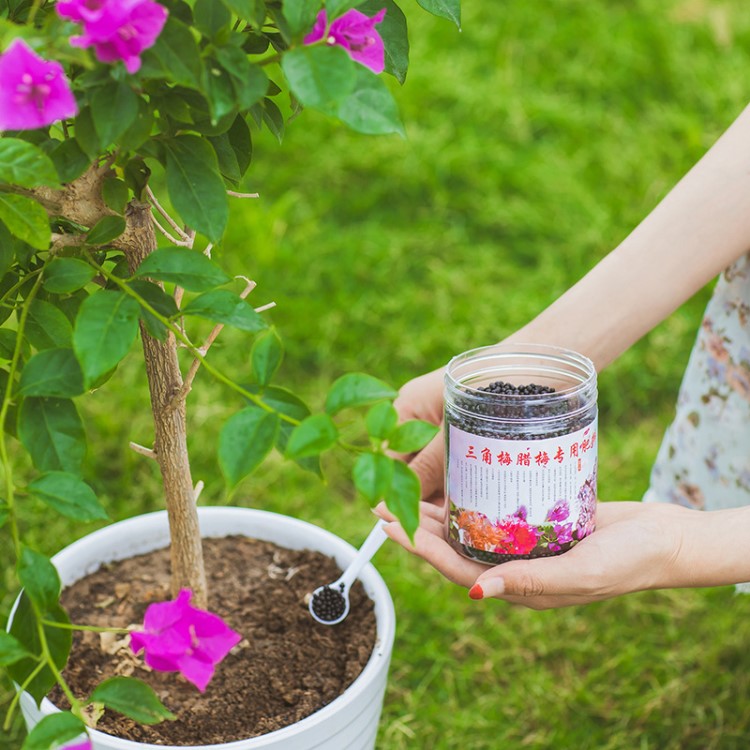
636, 546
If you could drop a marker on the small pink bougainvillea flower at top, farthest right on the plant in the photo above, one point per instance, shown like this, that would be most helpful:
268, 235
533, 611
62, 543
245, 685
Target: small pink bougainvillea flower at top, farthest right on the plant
355, 32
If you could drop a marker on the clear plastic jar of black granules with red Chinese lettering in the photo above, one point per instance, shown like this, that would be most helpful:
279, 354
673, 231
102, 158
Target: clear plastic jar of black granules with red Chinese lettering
521, 451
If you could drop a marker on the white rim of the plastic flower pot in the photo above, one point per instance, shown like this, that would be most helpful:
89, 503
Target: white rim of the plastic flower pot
340, 549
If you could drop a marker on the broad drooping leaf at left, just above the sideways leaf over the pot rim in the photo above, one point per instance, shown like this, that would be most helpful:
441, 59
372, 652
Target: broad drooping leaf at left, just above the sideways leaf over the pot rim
51, 431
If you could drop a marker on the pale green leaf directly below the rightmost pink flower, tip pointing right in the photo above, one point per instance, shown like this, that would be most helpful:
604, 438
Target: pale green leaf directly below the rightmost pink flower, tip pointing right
370, 108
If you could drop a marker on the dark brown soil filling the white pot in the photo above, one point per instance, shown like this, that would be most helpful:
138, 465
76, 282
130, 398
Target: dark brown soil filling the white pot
286, 667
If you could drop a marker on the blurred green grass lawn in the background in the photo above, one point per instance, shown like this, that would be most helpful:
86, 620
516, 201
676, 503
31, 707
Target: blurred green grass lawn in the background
538, 137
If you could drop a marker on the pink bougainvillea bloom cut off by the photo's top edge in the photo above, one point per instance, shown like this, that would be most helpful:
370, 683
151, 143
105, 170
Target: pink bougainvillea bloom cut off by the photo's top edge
116, 29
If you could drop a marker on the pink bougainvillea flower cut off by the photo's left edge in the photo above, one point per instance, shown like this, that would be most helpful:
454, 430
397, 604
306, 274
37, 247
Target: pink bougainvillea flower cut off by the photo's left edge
33, 92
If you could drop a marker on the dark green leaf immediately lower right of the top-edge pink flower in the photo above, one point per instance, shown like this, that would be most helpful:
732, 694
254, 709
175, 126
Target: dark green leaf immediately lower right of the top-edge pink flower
175, 56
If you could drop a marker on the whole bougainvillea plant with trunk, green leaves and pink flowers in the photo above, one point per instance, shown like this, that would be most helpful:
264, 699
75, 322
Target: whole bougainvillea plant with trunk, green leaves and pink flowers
127, 127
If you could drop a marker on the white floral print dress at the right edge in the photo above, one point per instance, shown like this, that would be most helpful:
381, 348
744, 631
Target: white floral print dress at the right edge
704, 459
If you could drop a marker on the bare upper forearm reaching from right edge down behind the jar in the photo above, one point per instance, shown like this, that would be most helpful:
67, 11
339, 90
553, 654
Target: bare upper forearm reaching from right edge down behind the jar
700, 228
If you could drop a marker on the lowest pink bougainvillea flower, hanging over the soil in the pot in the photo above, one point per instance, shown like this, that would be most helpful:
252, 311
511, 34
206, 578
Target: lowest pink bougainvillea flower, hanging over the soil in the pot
180, 638
